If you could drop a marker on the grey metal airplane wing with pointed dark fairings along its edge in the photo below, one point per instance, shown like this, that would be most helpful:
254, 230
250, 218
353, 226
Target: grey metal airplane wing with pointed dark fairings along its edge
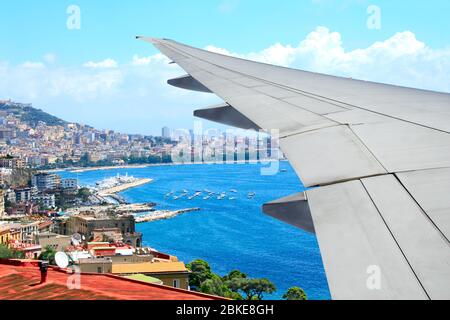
378, 157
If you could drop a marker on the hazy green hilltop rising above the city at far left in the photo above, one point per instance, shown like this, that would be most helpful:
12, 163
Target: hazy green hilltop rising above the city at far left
29, 114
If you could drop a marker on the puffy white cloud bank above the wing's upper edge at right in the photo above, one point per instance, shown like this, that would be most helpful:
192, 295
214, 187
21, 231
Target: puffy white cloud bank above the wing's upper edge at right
401, 59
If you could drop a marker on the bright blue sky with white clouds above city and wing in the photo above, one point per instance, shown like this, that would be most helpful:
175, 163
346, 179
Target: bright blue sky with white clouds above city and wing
43, 62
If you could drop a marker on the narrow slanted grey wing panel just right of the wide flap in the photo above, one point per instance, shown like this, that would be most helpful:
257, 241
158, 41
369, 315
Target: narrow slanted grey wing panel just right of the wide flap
424, 246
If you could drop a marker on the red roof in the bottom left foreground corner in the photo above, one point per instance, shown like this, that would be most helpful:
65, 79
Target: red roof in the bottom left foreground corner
19, 280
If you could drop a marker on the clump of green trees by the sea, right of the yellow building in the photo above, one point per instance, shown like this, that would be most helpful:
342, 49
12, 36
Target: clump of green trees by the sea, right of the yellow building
235, 285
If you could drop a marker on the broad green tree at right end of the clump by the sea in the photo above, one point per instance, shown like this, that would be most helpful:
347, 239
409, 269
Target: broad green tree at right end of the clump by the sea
253, 289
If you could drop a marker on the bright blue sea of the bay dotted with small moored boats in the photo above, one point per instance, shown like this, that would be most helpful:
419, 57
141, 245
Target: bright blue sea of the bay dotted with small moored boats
228, 234
